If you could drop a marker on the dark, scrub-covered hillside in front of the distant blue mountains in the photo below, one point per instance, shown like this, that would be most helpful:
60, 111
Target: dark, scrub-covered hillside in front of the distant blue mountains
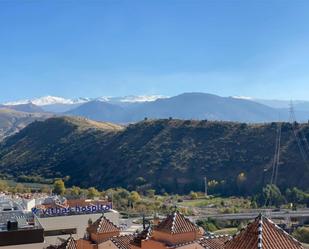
168, 155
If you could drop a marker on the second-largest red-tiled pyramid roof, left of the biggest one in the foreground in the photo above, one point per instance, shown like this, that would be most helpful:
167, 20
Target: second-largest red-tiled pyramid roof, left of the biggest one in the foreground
176, 223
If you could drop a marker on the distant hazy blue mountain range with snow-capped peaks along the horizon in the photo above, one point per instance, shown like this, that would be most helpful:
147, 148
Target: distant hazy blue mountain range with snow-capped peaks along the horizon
130, 109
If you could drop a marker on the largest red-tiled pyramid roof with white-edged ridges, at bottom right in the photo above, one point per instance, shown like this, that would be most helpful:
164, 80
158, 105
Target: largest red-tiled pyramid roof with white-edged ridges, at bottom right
262, 233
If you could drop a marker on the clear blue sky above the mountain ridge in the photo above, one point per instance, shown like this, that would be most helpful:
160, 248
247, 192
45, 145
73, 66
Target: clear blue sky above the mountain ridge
113, 48
